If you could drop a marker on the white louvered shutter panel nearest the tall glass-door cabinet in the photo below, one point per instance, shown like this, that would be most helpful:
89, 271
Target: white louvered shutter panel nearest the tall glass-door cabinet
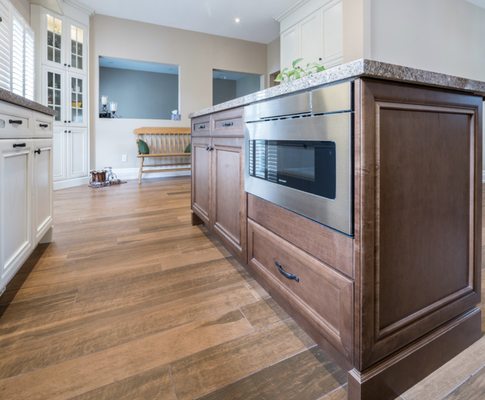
22, 70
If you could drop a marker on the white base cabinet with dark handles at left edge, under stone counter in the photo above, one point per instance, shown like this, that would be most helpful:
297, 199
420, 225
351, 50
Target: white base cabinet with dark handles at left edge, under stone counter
26, 168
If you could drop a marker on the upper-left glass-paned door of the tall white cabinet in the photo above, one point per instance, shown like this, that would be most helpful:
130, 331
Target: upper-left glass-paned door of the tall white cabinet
53, 42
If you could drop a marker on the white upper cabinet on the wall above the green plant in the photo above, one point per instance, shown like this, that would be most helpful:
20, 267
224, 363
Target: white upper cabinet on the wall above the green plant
313, 32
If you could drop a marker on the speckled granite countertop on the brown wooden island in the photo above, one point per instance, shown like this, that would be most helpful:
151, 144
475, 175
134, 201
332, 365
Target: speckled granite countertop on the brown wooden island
355, 69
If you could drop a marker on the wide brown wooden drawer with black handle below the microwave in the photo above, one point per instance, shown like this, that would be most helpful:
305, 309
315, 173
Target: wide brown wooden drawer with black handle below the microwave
311, 291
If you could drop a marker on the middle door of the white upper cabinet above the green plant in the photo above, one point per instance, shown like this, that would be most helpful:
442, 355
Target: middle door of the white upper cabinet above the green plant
311, 30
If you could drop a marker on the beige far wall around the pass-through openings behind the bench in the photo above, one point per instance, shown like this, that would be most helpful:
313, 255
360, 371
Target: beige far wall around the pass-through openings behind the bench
196, 54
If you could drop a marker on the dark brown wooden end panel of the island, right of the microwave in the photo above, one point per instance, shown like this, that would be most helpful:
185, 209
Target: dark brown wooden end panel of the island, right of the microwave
418, 236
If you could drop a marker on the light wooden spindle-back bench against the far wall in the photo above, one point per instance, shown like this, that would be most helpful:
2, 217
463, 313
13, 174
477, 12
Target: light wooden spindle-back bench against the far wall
168, 144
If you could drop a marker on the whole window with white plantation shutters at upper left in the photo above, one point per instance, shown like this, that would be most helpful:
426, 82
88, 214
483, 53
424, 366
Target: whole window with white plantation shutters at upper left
16, 52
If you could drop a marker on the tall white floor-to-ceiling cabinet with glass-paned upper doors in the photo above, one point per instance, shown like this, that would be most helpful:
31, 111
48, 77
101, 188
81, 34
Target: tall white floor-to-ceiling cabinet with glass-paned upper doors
62, 64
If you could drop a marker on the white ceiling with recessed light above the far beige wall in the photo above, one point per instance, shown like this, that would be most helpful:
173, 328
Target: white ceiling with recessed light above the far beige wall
215, 17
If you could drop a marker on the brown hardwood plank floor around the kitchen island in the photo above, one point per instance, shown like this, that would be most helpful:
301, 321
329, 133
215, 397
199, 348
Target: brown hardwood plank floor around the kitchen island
132, 302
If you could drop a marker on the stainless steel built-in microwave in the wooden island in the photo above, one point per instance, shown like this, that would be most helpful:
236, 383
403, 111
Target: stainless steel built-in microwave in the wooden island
299, 154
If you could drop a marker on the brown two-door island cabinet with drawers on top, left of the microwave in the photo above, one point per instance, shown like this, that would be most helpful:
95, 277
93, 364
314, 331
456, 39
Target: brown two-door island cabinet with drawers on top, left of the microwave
218, 196
